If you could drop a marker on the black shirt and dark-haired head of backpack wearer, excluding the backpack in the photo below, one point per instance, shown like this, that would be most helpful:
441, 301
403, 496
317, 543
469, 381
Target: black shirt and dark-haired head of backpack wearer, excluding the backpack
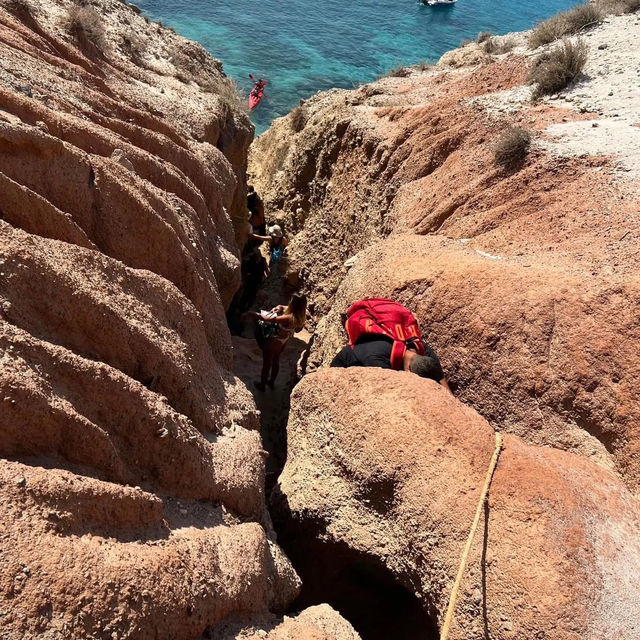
374, 350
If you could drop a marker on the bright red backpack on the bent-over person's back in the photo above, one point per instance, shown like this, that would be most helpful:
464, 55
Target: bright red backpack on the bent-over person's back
387, 318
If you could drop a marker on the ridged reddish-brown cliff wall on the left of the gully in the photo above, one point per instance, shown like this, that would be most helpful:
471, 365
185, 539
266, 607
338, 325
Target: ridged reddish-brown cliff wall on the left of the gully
132, 475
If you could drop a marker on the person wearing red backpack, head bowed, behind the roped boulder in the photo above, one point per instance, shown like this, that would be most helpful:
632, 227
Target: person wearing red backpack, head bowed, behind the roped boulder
384, 334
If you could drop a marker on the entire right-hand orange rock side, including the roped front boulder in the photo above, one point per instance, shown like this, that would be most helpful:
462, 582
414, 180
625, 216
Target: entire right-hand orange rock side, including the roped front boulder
524, 278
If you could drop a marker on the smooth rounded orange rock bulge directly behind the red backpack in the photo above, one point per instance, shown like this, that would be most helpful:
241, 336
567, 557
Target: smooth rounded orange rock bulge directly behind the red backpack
535, 347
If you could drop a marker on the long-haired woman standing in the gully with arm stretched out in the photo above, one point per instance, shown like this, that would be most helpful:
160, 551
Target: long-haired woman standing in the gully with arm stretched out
274, 329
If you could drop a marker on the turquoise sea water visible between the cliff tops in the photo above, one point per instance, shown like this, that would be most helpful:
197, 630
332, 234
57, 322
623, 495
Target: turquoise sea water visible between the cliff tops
305, 46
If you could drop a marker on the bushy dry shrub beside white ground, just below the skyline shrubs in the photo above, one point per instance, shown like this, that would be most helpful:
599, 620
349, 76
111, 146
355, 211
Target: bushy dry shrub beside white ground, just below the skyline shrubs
558, 68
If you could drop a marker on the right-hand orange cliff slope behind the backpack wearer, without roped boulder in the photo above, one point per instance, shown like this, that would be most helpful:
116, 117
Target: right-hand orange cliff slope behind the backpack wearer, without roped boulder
524, 278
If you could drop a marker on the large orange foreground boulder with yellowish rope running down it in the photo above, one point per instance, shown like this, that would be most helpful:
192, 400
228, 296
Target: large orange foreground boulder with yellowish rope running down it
385, 470
